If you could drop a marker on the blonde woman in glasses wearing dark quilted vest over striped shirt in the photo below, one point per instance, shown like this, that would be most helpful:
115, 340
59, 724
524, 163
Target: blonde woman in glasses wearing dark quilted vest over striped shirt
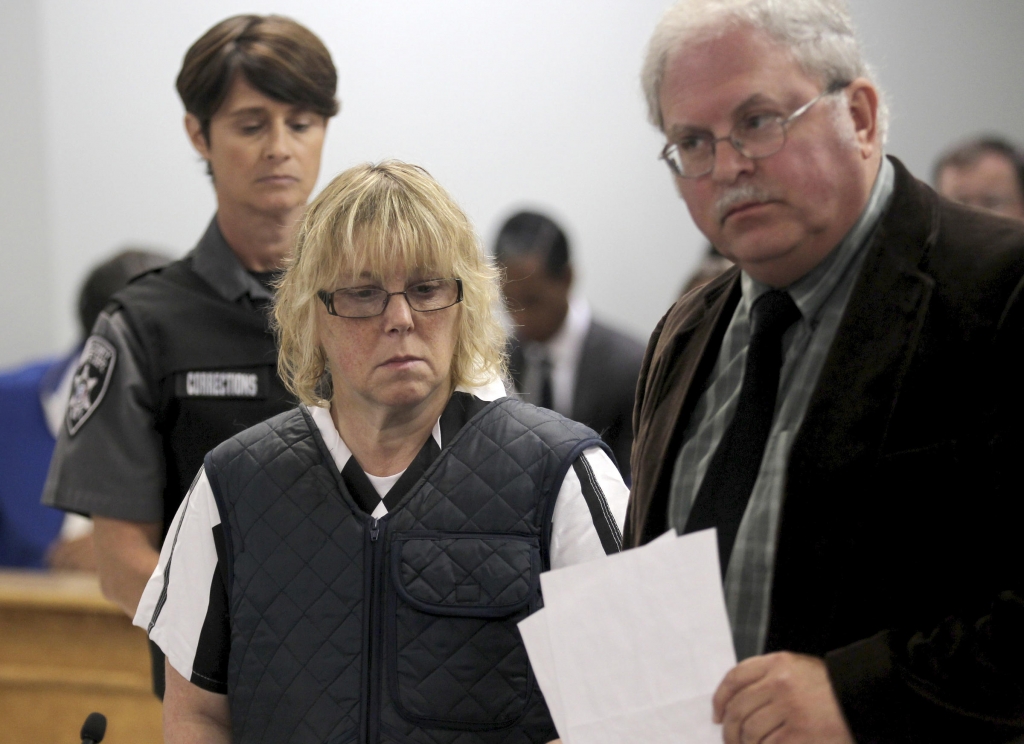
354, 571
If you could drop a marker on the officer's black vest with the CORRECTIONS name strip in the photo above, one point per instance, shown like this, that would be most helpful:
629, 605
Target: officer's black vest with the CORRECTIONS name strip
185, 329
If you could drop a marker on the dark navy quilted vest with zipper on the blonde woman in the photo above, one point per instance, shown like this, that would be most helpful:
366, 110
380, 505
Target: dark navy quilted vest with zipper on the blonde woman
347, 629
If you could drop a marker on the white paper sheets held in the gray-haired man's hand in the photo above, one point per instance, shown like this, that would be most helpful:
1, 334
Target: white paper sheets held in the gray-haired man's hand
632, 647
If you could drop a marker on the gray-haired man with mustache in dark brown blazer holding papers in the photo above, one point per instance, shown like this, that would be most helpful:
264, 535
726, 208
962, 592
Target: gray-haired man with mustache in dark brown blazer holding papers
842, 405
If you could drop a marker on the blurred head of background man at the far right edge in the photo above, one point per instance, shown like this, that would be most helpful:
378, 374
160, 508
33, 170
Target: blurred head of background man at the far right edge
988, 172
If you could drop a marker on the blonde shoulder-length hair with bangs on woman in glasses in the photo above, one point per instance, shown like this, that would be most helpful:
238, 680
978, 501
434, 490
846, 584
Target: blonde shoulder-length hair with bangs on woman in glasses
373, 218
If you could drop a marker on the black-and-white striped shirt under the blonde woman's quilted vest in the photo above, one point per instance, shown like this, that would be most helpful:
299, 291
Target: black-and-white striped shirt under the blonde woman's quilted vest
191, 625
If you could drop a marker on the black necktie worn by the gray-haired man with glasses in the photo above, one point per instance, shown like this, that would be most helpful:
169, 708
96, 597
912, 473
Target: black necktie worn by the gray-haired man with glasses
727, 489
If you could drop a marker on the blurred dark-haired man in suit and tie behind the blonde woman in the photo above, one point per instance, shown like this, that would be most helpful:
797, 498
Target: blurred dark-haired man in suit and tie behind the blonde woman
562, 359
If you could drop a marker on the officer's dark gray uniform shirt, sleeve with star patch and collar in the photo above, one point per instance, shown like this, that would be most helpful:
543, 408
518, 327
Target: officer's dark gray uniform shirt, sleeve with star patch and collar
110, 460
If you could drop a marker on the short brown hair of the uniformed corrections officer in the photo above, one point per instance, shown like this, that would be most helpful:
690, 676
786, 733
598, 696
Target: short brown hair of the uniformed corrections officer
278, 57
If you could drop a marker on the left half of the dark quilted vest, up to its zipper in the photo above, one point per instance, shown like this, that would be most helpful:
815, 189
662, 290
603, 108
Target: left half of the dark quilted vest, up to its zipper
297, 610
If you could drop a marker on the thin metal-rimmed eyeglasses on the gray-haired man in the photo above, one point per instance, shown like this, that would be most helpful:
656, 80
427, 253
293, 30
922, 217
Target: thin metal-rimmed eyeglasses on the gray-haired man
754, 137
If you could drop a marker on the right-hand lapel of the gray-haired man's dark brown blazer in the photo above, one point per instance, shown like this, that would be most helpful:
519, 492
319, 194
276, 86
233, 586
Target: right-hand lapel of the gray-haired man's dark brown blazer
848, 416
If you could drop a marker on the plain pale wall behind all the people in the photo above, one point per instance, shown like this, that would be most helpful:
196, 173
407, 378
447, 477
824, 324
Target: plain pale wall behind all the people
508, 103
